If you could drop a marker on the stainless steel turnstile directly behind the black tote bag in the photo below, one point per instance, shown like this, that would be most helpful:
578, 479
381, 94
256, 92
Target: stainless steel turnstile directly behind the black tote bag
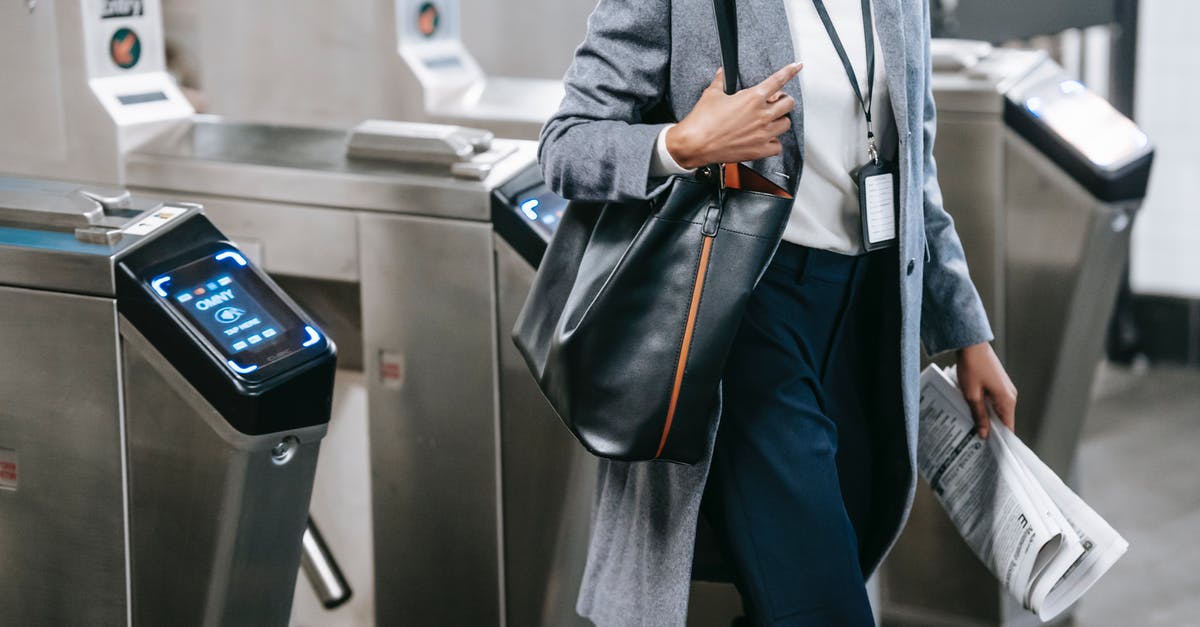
481, 500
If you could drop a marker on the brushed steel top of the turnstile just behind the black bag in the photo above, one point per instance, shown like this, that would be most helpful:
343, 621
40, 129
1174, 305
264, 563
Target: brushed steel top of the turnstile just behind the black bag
309, 166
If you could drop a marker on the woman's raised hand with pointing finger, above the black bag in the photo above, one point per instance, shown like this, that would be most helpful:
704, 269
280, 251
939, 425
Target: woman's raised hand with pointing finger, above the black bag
728, 129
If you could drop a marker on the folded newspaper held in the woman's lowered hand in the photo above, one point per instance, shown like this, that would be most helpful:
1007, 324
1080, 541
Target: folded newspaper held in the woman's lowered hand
1039, 538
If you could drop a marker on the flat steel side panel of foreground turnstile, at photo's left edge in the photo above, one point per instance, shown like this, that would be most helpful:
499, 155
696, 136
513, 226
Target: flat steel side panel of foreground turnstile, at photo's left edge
63, 530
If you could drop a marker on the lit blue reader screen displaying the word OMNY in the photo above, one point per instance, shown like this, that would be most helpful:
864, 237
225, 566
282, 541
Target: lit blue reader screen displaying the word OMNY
224, 298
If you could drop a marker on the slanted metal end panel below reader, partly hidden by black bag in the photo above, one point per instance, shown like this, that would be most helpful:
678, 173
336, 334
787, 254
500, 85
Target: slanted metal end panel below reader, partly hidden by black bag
549, 480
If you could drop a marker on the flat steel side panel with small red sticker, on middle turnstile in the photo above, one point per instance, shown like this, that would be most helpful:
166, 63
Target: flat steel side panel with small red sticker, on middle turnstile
435, 438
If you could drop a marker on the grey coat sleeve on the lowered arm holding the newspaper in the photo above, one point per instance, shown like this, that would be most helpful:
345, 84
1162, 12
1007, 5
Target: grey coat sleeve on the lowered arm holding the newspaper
952, 313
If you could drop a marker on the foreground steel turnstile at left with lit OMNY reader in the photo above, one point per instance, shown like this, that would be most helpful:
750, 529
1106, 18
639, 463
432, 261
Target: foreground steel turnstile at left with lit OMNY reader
161, 409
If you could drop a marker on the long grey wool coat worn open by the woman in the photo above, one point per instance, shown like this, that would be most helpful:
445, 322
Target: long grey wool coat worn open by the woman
645, 63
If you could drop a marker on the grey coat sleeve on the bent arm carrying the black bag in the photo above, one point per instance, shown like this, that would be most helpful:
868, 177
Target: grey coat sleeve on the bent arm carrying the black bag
598, 147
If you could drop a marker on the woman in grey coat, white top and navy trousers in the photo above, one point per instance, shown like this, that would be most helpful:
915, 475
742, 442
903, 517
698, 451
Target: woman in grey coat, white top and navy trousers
811, 475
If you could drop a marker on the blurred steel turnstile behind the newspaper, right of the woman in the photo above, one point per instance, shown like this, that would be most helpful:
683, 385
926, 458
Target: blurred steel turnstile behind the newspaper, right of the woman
1043, 181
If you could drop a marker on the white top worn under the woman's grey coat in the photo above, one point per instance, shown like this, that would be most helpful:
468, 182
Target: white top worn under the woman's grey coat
826, 213
